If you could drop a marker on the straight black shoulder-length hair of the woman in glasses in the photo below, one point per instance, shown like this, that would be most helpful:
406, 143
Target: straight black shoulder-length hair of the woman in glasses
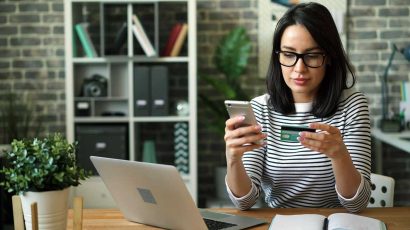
319, 22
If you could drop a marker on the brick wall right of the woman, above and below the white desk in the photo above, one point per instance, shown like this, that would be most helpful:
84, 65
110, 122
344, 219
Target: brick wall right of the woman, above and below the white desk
374, 25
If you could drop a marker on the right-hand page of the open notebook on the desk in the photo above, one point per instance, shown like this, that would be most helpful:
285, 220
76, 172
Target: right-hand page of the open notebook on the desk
346, 221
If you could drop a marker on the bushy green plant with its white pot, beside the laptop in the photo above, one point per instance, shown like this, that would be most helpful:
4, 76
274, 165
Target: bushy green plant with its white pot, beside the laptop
42, 170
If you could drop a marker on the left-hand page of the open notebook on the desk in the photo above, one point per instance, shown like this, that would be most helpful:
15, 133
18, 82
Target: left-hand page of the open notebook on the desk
297, 222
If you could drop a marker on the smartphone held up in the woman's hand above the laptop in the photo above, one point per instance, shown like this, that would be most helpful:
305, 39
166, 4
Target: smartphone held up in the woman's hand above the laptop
241, 108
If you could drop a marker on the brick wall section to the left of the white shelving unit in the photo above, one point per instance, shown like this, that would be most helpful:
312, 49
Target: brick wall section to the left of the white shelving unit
32, 56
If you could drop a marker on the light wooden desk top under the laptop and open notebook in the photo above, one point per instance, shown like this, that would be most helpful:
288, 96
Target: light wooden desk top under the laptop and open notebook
395, 218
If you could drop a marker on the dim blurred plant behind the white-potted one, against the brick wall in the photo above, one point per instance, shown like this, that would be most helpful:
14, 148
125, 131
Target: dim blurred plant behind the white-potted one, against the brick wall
17, 119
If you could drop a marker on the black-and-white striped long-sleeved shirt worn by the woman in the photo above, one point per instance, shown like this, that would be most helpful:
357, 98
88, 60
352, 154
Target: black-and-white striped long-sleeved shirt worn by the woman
291, 175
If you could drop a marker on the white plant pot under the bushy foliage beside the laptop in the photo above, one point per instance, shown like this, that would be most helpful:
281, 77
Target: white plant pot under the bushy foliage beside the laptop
51, 206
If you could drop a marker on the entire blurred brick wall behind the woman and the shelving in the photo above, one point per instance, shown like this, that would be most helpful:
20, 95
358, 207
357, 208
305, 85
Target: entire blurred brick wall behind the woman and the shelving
32, 60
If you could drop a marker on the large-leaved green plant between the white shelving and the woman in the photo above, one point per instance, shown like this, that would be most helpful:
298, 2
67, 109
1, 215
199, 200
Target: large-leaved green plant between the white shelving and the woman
231, 59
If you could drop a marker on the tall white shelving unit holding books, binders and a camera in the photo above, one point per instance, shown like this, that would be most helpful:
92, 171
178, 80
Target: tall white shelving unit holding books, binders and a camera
117, 97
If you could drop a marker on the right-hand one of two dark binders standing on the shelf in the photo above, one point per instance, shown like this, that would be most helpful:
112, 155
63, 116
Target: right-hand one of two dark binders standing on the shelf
159, 91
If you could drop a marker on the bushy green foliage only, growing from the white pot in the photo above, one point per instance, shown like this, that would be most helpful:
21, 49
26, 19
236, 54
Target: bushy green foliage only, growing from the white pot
41, 165
